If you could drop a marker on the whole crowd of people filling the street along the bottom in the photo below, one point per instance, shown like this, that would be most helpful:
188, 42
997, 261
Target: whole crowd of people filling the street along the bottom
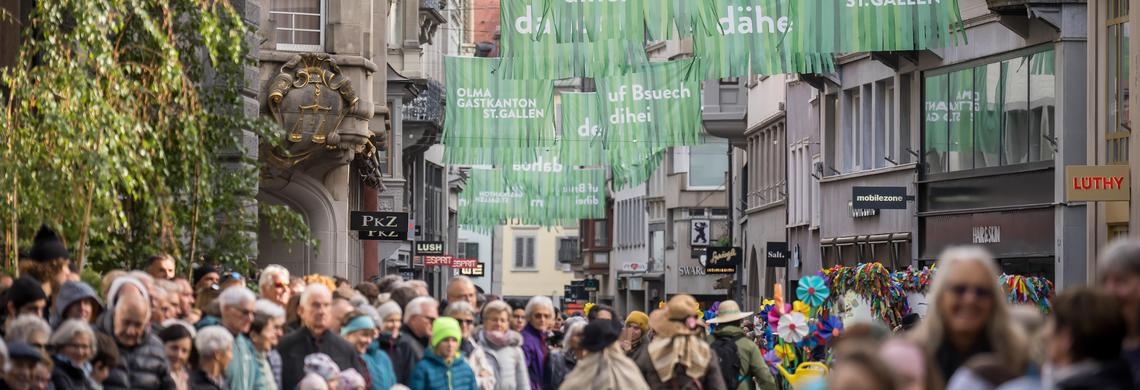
150, 329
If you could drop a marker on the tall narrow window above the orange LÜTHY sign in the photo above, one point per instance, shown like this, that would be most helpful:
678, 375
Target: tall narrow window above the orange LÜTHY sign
1120, 127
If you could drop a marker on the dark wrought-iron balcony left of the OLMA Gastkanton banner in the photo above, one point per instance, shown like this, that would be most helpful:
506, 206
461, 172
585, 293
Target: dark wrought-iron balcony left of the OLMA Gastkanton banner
424, 117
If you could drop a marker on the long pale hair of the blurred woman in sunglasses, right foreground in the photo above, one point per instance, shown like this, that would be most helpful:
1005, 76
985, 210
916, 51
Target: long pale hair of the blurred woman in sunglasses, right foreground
1006, 338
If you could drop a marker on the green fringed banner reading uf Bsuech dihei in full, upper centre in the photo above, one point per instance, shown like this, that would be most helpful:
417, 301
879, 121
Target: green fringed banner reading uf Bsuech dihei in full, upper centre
647, 112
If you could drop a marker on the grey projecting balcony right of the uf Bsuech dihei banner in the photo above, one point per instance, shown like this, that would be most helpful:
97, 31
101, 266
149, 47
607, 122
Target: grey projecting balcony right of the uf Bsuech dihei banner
726, 109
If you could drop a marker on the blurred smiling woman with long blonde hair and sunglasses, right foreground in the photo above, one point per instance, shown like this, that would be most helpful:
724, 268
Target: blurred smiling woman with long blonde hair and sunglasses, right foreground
970, 314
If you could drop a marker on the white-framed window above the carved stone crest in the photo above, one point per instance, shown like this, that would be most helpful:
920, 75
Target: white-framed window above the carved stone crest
300, 25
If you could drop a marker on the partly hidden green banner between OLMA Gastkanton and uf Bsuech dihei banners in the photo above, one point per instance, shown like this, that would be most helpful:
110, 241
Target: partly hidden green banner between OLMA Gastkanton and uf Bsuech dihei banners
582, 129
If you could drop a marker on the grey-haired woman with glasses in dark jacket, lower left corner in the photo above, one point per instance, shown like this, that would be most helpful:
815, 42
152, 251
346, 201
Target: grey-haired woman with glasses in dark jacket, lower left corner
75, 346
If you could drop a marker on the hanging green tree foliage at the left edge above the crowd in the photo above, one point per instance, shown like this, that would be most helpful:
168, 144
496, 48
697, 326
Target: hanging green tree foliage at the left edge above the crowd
121, 127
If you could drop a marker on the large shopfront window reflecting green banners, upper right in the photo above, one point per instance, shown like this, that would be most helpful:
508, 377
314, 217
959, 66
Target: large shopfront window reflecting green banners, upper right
995, 115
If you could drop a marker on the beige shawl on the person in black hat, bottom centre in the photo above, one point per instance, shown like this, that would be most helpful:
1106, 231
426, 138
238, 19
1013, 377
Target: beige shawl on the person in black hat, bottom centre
607, 370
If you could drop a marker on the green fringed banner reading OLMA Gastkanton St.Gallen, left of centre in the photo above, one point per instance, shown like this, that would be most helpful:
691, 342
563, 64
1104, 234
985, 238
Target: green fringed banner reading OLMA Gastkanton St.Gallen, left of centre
488, 115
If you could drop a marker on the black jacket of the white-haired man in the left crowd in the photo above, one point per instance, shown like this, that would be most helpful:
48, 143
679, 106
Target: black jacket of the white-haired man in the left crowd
296, 346
